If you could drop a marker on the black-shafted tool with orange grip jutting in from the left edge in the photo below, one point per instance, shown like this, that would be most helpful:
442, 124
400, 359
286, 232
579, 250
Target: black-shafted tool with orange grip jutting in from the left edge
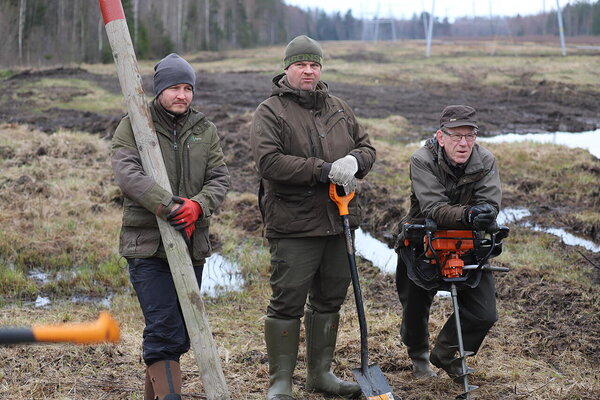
104, 329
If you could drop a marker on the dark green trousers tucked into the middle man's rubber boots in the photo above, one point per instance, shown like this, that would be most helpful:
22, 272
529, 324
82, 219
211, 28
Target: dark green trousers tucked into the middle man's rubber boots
316, 267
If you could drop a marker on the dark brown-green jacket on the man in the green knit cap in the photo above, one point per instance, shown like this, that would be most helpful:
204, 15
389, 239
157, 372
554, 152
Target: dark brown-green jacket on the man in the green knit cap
296, 135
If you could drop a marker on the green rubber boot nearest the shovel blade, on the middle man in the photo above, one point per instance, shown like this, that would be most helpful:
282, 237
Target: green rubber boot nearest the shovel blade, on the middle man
321, 335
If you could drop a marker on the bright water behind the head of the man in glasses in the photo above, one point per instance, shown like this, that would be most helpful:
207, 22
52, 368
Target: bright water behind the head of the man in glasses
585, 140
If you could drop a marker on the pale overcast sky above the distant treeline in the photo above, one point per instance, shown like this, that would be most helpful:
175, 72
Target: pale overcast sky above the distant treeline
443, 8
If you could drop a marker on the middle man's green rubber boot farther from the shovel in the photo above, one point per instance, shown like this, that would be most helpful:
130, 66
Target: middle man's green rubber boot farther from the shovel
282, 337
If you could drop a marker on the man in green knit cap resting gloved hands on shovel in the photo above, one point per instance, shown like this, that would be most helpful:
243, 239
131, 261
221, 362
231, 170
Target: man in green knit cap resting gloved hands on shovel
303, 138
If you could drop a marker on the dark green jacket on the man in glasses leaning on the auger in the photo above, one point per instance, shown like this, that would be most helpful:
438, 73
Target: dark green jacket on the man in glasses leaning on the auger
437, 193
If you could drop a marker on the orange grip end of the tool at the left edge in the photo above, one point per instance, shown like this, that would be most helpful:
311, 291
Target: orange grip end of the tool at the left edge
104, 329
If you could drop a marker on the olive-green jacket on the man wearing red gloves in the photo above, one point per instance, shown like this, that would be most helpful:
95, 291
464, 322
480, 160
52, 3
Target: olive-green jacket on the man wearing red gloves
196, 169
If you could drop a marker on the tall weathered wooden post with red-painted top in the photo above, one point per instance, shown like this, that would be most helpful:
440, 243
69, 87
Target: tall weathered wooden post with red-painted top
188, 291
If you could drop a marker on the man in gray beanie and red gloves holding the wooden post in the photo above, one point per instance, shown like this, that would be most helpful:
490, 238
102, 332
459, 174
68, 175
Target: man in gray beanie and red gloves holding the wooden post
199, 181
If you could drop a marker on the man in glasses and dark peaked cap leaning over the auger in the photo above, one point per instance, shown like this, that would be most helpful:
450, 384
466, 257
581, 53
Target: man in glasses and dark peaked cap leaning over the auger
454, 184
